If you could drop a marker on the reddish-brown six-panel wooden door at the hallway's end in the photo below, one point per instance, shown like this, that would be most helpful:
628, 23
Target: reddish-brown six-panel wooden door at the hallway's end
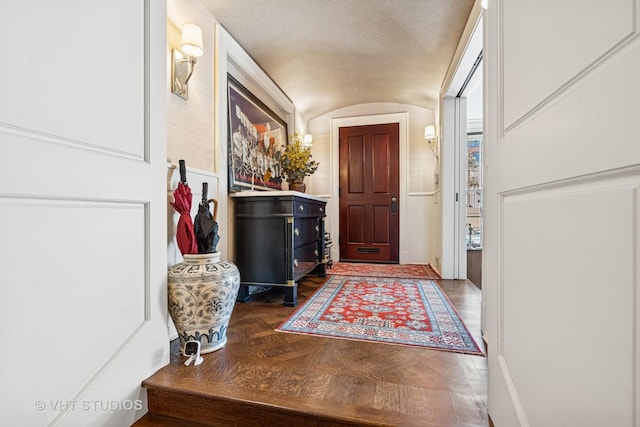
369, 181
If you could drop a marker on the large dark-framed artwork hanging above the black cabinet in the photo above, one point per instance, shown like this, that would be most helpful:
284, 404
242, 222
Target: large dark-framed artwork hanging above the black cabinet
256, 134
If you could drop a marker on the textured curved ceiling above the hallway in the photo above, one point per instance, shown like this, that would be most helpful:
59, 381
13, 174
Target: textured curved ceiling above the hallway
329, 54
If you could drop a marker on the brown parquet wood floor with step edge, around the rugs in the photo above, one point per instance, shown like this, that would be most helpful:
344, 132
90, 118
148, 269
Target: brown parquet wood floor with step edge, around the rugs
268, 378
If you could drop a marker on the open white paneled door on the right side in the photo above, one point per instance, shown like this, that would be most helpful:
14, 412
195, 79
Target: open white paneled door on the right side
561, 256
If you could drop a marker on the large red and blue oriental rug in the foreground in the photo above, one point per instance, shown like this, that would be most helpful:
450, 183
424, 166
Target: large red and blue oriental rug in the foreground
410, 312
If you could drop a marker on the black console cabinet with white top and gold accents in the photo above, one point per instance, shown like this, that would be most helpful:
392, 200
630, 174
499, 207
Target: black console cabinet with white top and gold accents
279, 238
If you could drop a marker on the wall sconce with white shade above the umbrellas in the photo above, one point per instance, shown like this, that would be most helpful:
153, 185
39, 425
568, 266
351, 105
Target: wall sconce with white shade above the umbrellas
184, 60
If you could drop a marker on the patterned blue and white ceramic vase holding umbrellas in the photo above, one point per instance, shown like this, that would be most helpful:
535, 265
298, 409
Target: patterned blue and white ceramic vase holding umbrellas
202, 293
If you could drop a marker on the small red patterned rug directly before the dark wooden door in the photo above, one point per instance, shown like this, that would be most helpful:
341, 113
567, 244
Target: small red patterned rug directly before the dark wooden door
412, 271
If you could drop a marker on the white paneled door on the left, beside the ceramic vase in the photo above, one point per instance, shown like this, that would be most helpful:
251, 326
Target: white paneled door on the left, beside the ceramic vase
82, 209
